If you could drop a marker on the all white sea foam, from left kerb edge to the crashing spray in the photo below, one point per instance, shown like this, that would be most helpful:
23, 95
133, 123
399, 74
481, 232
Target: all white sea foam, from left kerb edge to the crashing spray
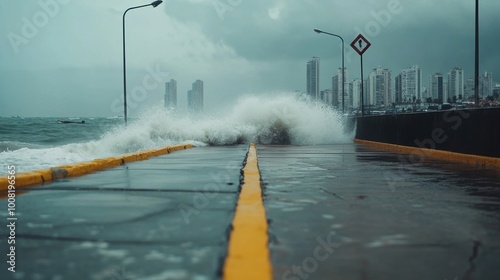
281, 119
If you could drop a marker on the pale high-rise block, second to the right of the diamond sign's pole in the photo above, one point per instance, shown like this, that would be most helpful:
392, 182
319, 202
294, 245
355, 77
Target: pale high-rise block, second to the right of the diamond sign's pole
409, 88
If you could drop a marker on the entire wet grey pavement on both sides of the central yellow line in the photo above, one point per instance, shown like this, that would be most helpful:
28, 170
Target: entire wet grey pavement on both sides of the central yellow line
335, 212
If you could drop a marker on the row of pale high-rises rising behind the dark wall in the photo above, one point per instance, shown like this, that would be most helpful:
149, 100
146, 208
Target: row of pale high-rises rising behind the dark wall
408, 86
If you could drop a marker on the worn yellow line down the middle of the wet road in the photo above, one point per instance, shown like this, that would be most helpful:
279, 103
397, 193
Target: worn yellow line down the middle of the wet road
248, 253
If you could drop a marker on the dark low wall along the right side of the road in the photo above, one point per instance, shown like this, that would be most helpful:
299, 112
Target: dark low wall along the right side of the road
464, 131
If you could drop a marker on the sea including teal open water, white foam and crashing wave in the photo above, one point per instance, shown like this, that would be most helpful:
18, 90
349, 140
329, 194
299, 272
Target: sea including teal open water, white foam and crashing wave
38, 143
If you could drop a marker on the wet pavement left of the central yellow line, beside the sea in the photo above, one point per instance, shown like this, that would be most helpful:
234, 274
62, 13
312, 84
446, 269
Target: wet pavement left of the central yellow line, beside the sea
164, 218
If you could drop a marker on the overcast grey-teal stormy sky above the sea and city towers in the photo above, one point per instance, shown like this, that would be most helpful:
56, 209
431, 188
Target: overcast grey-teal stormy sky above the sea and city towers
64, 57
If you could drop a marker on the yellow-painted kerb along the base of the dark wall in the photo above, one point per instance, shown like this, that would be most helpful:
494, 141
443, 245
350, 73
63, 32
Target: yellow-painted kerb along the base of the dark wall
436, 154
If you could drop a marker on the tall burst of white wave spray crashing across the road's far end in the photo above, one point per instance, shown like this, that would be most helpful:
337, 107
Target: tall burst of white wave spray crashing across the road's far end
284, 119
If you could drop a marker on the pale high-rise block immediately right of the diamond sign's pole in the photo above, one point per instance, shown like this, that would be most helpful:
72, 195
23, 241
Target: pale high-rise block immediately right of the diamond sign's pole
379, 89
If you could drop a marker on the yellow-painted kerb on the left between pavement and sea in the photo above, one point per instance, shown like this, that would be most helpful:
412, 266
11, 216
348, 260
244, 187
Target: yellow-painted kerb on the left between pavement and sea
78, 169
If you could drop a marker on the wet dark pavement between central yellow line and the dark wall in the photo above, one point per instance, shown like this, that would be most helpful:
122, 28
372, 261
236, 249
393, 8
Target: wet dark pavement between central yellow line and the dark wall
348, 212
